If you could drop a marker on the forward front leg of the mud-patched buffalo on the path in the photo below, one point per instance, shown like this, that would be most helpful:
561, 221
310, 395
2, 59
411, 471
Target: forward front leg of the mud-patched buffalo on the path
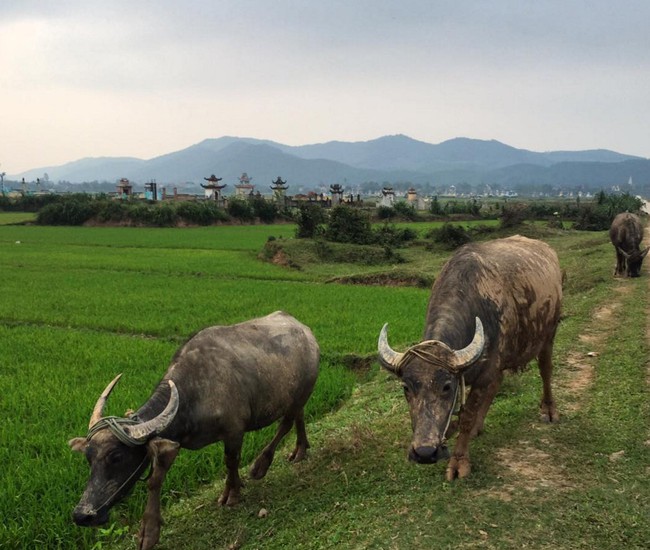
471, 423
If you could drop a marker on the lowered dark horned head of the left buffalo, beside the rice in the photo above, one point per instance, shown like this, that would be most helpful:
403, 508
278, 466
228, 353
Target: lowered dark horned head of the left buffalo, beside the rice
118, 451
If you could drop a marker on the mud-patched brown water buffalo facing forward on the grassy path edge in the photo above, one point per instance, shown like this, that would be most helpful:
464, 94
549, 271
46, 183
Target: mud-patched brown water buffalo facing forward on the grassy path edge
494, 307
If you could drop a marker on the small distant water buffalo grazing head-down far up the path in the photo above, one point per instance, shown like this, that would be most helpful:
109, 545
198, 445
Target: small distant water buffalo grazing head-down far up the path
626, 234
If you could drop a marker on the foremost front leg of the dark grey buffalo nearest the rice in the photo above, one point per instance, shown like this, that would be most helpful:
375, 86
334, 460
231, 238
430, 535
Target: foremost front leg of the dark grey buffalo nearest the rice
163, 453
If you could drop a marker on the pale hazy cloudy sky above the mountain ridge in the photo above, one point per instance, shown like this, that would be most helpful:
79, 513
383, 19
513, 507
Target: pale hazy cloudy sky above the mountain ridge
82, 78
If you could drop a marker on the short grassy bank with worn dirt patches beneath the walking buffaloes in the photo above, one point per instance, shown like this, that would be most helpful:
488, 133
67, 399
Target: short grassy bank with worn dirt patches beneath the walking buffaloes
533, 485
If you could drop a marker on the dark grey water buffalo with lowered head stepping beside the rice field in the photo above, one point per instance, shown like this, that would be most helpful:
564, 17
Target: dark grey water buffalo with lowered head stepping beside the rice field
223, 382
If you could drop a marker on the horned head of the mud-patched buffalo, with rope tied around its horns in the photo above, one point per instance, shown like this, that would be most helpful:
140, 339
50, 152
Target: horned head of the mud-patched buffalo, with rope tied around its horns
431, 374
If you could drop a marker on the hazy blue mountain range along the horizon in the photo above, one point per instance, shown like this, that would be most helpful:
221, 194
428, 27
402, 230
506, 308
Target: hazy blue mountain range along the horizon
395, 159
